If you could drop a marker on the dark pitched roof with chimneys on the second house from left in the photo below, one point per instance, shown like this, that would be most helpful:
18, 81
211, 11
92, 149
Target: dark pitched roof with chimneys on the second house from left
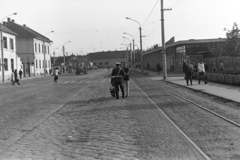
25, 32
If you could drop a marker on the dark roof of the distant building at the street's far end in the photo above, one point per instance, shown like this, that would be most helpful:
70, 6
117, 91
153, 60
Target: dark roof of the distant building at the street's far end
107, 55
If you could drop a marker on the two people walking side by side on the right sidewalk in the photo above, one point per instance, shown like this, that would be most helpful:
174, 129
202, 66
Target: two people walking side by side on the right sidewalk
188, 70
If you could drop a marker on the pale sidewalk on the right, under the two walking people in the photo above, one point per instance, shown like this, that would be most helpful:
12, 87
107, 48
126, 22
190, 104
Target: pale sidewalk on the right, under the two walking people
220, 90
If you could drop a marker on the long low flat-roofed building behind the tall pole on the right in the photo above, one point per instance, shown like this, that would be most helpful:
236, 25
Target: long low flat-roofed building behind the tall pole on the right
176, 52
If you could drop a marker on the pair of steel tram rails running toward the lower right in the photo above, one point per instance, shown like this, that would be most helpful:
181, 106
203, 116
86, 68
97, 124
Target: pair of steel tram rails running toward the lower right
161, 87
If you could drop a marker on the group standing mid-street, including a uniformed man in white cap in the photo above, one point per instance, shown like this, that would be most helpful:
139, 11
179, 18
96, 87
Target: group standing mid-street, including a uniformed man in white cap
120, 78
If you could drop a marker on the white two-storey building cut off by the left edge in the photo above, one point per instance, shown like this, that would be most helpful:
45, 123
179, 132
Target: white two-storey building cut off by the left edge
11, 60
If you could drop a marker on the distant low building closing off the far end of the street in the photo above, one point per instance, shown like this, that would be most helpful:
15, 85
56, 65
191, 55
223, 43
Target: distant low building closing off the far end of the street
108, 58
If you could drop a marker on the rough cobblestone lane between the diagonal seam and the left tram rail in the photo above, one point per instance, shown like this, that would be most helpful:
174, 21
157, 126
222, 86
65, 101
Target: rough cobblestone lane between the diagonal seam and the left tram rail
93, 125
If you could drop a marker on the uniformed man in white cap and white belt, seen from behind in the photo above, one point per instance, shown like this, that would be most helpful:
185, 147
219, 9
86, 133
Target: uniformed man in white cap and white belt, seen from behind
118, 74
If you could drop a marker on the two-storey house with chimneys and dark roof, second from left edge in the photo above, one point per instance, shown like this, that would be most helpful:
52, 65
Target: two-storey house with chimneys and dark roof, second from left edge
33, 49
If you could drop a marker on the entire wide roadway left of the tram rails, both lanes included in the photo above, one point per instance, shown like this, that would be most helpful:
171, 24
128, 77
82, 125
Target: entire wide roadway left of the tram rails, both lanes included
78, 119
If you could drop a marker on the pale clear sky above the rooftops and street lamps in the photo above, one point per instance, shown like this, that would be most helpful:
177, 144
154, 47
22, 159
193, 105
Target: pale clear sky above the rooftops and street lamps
98, 25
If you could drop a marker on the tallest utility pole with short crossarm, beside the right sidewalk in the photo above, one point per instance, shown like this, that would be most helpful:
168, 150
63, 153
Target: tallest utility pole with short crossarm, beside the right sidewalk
163, 42
